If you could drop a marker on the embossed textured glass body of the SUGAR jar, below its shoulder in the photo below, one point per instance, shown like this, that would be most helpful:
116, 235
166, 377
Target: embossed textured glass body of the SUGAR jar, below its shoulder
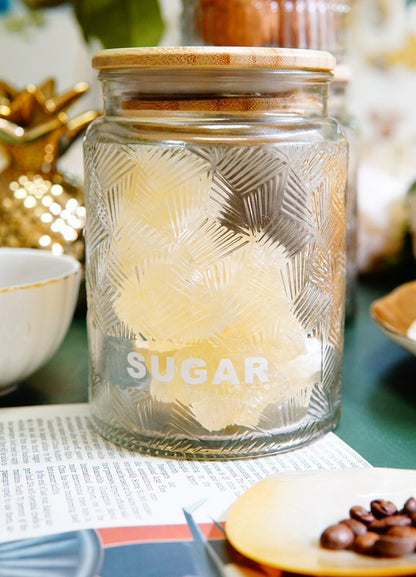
215, 278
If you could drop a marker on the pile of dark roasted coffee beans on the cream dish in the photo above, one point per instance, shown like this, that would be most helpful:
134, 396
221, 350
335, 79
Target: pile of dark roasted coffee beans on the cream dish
383, 531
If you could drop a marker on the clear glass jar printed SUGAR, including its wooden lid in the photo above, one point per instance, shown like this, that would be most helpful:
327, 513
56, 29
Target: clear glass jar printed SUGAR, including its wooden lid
215, 250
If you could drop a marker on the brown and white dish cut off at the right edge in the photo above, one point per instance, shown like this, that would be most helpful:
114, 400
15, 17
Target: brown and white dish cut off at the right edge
395, 314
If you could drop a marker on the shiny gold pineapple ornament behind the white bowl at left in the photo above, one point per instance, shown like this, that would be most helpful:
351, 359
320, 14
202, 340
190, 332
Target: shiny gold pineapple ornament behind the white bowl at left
40, 207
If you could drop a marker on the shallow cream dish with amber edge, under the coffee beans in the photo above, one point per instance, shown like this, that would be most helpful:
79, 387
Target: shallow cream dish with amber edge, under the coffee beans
278, 521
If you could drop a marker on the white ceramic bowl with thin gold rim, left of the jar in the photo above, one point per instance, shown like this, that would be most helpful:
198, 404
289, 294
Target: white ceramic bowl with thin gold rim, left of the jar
38, 294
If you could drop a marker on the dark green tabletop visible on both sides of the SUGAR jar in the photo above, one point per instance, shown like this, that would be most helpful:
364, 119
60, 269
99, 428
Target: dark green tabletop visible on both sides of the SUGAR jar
379, 381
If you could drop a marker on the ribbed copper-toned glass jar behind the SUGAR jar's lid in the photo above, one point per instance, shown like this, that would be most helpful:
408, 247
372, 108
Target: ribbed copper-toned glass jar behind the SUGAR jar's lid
314, 24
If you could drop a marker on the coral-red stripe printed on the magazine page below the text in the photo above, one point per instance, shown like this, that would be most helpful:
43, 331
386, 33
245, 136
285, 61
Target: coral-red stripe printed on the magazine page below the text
117, 535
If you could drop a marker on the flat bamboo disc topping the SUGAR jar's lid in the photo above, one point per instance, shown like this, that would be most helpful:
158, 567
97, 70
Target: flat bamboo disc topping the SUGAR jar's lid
227, 57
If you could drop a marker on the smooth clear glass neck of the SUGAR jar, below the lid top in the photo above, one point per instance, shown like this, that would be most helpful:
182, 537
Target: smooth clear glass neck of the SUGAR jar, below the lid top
248, 92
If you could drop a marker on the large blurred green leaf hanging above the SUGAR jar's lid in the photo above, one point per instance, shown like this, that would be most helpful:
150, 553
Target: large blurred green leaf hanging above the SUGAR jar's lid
120, 23
